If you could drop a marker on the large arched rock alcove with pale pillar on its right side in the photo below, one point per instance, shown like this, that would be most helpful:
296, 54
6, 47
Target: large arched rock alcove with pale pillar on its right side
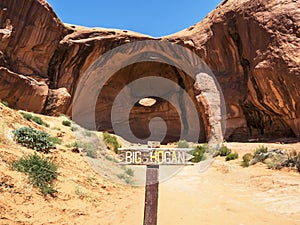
158, 61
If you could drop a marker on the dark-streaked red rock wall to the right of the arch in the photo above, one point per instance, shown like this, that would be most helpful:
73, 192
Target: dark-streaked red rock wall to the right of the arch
253, 48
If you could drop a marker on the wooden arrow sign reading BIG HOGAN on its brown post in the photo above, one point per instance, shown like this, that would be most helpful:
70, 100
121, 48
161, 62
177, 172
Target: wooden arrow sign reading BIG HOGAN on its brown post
153, 157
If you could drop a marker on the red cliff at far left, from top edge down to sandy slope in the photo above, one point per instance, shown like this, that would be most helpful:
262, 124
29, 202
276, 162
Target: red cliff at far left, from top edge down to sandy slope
30, 33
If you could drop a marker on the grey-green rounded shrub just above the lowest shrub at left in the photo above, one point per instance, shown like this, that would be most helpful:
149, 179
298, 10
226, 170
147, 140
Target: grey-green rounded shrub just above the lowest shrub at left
34, 139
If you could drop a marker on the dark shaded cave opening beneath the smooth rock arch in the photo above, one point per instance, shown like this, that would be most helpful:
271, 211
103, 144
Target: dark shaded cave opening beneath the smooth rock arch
148, 110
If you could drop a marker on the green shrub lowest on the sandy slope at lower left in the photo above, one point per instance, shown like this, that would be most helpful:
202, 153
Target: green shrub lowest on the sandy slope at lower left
40, 171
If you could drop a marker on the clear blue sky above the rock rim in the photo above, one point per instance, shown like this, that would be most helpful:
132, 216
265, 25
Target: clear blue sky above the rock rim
154, 17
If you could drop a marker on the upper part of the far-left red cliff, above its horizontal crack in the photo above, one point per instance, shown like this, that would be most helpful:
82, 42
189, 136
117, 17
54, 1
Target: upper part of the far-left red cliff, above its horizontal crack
30, 33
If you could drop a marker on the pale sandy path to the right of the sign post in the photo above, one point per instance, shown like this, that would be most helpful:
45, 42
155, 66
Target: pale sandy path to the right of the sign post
230, 194
